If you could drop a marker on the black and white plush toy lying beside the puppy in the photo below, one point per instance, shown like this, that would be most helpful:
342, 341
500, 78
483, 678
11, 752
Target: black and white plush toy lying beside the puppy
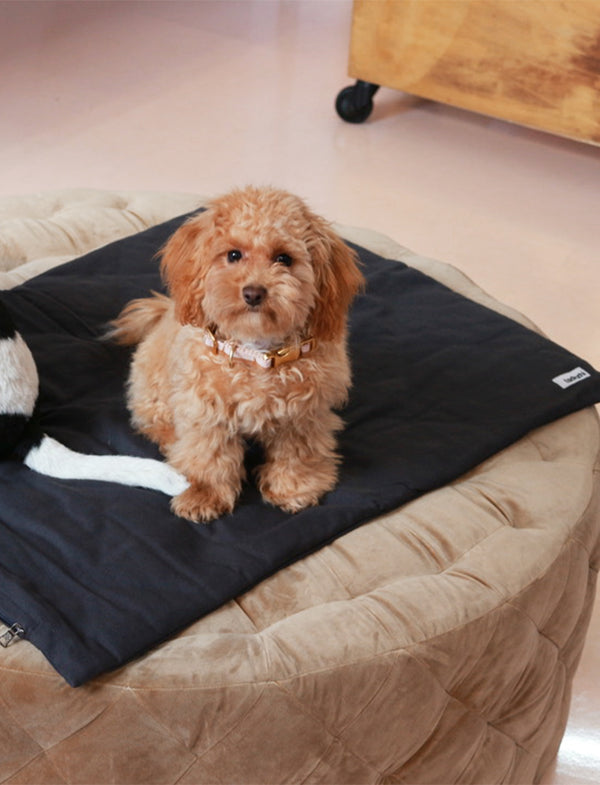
19, 388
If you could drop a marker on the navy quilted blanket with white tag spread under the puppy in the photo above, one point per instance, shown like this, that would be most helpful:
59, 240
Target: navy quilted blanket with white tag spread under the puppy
97, 573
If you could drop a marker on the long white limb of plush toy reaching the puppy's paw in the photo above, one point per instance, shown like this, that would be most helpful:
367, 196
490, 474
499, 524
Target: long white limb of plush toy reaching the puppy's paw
55, 460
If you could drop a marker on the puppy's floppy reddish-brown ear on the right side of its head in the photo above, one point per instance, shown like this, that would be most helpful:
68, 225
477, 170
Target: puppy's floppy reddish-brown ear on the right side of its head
338, 280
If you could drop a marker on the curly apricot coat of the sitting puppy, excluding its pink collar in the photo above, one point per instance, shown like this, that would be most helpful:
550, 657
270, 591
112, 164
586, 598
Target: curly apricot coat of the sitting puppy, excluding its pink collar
259, 268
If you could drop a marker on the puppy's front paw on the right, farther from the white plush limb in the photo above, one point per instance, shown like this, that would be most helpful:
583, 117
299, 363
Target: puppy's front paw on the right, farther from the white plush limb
293, 491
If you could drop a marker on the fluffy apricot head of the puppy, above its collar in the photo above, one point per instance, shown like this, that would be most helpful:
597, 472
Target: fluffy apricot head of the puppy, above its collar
262, 267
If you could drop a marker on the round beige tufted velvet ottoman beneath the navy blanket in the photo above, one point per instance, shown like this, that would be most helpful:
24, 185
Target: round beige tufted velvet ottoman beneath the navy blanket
436, 644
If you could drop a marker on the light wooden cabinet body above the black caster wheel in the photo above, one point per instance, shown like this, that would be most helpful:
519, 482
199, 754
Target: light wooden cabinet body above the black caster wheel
533, 62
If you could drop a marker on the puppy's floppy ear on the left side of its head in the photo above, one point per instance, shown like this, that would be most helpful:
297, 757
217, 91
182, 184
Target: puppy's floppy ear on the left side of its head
183, 271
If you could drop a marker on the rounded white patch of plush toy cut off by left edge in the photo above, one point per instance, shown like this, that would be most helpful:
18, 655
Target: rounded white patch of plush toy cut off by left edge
18, 377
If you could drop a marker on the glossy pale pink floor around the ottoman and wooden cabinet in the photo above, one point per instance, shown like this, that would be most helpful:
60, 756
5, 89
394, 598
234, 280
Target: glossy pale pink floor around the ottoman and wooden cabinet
203, 96
